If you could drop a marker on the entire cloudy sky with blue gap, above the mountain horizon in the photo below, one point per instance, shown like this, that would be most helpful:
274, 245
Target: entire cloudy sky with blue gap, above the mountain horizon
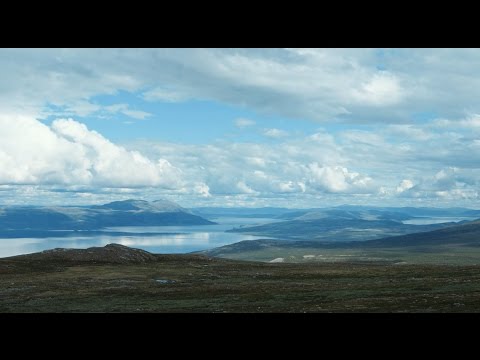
295, 128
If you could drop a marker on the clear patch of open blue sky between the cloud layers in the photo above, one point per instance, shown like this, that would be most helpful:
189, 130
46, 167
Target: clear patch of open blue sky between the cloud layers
190, 121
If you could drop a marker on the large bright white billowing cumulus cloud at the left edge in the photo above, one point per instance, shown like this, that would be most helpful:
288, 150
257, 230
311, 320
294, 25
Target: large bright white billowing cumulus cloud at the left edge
68, 153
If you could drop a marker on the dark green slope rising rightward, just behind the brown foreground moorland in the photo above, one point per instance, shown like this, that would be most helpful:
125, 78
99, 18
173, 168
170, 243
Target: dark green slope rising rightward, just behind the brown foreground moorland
453, 245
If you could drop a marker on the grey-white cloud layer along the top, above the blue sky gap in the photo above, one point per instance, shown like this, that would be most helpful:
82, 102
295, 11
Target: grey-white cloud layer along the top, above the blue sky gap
354, 85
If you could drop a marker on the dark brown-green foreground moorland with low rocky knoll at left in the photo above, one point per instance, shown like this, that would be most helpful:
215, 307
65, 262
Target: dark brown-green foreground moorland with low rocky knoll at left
68, 281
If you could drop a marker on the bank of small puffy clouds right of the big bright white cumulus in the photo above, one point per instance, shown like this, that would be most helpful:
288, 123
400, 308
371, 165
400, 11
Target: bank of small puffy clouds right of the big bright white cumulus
429, 163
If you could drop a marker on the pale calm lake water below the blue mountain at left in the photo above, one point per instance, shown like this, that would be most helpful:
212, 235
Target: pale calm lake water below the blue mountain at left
174, 239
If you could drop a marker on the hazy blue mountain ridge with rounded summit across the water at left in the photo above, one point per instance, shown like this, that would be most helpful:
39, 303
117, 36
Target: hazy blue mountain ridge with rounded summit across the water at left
118, 213
